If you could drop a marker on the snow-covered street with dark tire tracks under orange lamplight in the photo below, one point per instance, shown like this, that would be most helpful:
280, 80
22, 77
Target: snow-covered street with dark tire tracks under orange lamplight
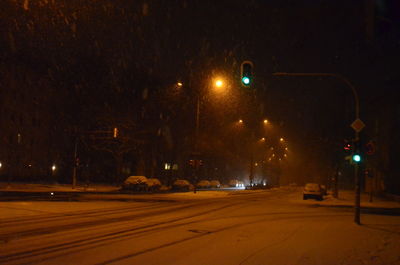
228, 227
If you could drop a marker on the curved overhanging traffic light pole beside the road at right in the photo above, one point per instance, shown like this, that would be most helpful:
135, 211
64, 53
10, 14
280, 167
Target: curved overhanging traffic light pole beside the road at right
357, 179
